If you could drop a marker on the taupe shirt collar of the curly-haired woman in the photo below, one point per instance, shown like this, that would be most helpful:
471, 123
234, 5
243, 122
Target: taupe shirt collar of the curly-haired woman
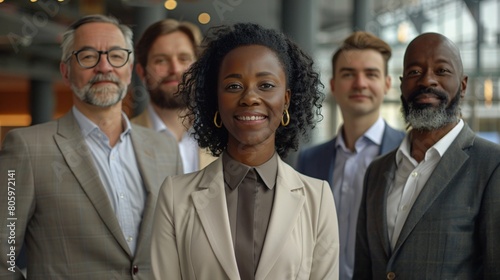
235, 171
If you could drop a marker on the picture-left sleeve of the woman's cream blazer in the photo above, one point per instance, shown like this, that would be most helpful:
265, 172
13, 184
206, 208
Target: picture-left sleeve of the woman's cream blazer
164, 254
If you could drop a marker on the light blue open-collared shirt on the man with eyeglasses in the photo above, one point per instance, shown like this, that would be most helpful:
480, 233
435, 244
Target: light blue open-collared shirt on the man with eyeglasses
119, 174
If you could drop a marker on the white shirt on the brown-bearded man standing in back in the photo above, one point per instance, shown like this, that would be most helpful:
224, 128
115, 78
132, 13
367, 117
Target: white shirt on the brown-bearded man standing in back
188, 147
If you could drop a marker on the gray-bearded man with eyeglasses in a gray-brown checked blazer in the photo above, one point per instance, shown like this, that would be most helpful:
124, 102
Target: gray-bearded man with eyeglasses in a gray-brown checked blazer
85, 186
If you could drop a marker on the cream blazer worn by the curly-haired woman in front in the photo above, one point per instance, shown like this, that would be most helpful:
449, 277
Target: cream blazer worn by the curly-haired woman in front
192, 238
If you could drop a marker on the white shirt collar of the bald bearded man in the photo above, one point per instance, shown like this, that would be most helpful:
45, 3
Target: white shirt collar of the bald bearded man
440, 147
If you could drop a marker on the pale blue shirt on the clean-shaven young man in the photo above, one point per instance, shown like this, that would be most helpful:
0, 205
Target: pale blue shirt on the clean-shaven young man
347, 185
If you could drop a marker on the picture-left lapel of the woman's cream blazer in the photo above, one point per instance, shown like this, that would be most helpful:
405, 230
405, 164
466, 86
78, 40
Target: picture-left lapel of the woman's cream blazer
210, 203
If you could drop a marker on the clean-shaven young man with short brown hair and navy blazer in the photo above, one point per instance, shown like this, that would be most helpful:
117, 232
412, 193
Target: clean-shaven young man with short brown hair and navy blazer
359, 83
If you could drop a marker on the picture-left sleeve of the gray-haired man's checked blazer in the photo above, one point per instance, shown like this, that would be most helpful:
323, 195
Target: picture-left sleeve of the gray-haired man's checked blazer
17, 198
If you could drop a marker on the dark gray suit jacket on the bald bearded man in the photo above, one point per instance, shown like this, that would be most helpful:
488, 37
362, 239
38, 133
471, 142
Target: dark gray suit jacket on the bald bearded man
452, 230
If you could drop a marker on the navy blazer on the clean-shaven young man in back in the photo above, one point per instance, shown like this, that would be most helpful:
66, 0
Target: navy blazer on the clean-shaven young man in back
319, 161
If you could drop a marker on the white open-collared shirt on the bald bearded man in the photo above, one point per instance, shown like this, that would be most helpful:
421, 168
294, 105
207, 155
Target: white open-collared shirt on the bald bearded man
410, 178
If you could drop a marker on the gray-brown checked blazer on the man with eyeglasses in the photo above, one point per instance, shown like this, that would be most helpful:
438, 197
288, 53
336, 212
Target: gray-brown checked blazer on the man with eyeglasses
63, 214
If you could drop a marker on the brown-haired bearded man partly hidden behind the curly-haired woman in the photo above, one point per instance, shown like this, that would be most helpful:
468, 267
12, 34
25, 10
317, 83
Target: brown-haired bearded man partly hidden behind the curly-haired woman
165, 51
